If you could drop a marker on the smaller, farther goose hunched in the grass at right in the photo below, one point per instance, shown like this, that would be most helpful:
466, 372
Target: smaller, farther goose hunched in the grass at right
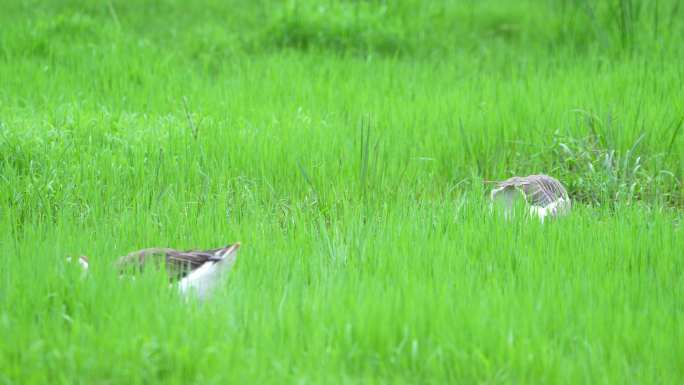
545, 195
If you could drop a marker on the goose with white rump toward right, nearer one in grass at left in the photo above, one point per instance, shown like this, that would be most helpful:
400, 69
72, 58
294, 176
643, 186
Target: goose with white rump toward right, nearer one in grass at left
197, 272
